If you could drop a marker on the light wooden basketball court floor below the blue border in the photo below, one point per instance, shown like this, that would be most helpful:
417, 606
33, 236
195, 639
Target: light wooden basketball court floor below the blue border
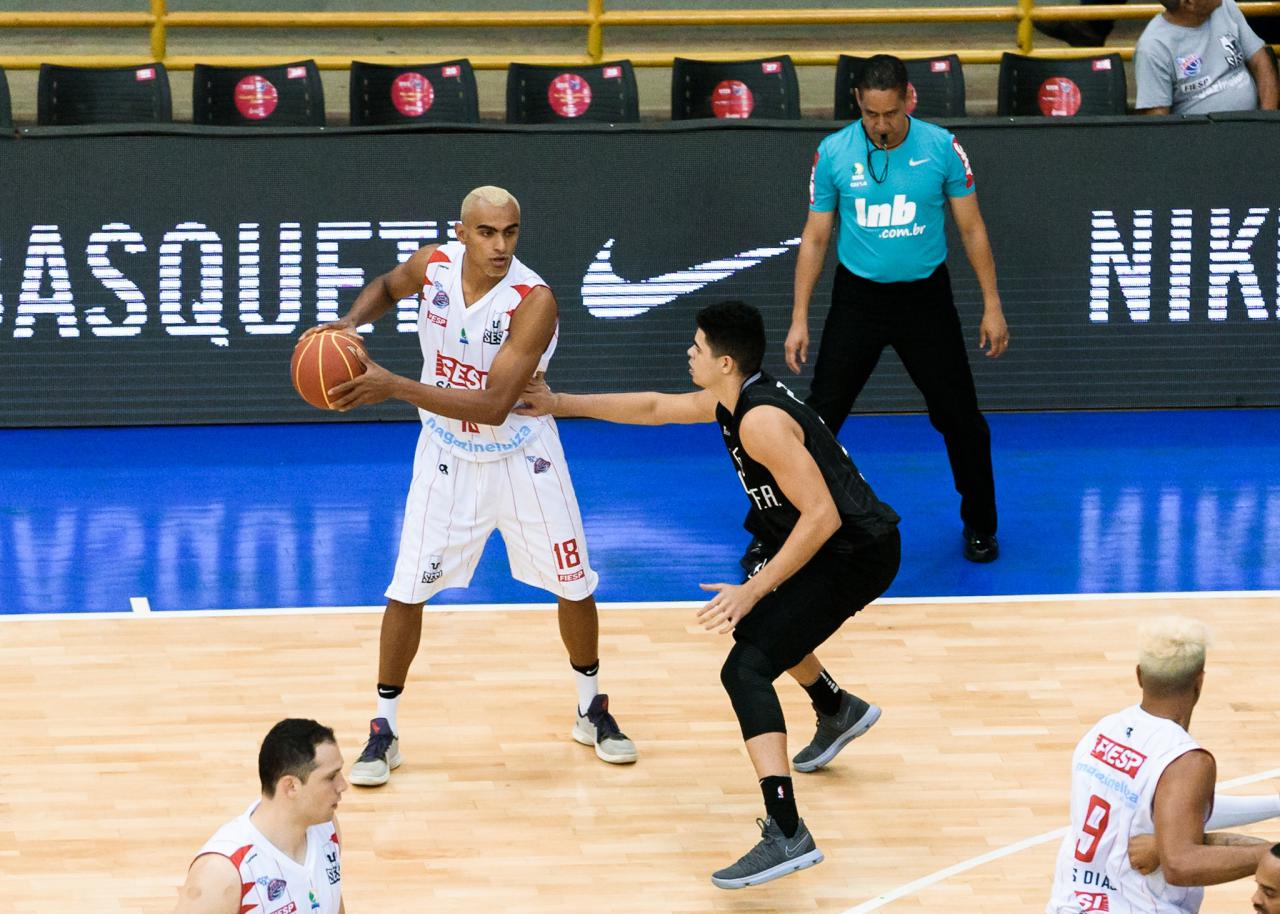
129, 741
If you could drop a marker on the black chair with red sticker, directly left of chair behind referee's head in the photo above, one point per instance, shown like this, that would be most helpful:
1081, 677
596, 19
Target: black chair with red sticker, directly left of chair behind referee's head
737, 89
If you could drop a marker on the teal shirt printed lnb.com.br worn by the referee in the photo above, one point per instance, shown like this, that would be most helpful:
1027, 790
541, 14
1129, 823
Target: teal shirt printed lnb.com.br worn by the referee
892, 231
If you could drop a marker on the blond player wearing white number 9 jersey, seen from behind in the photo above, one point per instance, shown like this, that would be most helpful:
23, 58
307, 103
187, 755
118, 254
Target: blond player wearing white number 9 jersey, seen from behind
1139, 773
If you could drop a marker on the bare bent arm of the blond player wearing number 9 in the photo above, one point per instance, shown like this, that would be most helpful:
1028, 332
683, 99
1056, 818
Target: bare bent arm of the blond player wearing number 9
1182, 797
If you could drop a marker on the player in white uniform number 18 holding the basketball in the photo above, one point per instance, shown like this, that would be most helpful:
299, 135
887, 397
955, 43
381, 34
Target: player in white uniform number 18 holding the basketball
488, 326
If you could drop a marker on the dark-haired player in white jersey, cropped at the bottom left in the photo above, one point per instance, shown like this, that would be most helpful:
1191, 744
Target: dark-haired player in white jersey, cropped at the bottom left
284, 854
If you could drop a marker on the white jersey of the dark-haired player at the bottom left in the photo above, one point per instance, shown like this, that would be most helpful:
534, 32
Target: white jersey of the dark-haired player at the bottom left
272, 883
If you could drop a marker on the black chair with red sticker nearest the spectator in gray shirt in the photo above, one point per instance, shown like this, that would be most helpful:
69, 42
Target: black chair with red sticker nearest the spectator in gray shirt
1039, 86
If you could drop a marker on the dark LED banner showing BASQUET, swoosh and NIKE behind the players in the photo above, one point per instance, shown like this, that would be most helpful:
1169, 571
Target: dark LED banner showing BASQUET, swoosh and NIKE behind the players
164, 278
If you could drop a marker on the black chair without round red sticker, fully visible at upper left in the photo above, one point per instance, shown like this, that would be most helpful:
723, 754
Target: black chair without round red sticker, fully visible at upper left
103, 95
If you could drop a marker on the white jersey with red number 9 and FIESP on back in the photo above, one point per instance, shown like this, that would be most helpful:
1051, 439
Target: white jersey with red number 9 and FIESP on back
1116, 770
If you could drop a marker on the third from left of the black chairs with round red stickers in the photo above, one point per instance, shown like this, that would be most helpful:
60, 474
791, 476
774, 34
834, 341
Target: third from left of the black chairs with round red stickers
552, 95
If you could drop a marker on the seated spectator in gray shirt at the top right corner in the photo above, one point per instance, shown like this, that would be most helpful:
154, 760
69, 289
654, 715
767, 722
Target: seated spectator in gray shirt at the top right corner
1201, 57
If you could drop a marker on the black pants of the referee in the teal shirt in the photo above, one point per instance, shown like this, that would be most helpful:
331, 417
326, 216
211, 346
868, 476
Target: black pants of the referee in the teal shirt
920, 321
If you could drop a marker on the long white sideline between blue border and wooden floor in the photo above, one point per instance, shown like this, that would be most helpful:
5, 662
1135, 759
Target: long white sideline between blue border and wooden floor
643, 606
